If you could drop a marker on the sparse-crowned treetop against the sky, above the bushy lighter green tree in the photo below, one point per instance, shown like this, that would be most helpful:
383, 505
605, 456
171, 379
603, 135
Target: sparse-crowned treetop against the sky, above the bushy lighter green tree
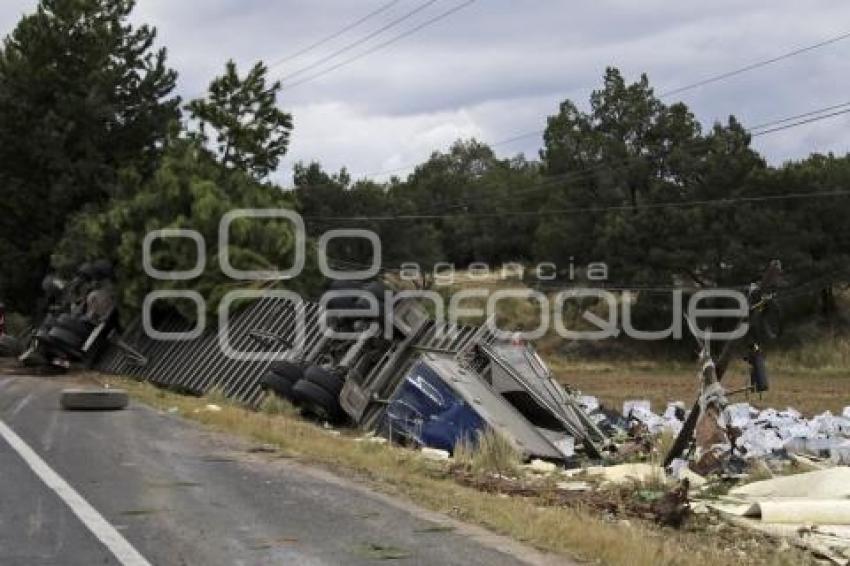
251, 132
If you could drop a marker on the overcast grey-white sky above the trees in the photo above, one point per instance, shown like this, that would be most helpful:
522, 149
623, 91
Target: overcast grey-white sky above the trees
497, 68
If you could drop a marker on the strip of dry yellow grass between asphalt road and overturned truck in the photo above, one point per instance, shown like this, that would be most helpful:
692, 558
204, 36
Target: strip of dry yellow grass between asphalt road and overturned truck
576, 533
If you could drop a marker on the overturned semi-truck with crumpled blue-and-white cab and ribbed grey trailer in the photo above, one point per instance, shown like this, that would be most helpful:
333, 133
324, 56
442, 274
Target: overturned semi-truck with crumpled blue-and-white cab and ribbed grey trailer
401, 374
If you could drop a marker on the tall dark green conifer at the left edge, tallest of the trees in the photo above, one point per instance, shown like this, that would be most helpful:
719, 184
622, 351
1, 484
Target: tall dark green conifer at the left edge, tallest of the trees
84, 96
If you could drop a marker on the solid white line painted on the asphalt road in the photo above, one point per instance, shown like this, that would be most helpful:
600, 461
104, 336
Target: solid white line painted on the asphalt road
94, 521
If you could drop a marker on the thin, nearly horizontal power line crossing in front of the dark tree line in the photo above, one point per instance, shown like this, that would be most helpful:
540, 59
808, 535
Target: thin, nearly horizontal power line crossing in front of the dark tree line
581, 210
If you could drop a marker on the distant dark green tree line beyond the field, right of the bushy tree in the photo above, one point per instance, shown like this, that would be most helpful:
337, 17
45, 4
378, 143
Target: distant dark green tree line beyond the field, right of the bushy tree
633, 182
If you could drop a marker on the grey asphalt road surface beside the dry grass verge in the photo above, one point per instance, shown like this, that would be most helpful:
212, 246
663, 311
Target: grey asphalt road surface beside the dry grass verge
179, 494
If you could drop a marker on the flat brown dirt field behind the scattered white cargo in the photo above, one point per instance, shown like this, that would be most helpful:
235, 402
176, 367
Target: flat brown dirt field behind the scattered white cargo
809, 391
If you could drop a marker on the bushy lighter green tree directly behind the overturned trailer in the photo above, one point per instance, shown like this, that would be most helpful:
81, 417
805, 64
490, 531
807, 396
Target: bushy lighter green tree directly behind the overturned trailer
191, 191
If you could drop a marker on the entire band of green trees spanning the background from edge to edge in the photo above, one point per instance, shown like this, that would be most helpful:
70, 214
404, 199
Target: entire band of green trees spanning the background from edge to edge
96, 150
